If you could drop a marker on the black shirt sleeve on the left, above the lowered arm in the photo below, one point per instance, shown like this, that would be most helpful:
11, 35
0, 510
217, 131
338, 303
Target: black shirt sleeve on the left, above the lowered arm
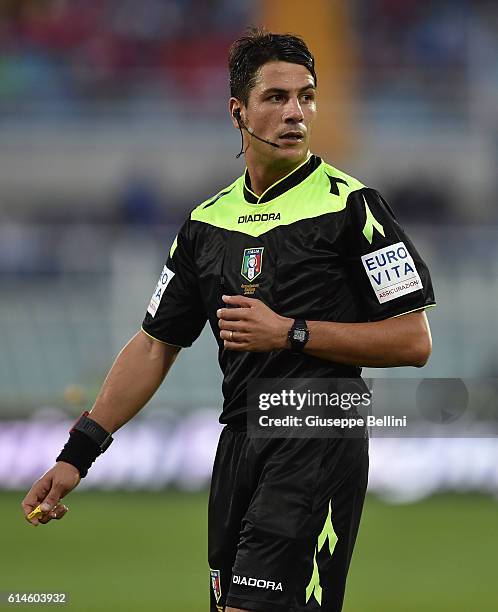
176, 313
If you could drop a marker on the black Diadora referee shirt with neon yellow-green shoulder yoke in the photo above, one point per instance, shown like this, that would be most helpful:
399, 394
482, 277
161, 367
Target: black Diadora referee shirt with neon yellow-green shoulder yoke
316, 245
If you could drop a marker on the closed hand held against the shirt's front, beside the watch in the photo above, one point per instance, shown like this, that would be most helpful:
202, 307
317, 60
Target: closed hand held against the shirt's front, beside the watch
252, 325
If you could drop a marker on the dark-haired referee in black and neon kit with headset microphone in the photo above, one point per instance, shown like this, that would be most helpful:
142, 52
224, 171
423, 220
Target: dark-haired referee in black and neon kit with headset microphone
302, 272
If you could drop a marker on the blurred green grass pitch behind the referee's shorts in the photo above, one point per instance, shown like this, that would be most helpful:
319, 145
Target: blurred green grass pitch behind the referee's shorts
131, 552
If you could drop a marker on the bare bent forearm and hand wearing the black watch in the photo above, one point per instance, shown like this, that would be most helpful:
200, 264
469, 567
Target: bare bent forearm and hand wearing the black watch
399, 341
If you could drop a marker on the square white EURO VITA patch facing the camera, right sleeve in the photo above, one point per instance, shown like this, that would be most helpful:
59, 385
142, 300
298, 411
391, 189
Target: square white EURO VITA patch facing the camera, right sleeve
392, 272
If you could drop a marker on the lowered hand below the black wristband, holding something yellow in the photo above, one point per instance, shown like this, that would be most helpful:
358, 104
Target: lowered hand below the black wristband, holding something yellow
49, 490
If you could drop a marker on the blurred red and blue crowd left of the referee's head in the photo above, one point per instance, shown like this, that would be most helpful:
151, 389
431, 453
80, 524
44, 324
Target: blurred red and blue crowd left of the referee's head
68, 53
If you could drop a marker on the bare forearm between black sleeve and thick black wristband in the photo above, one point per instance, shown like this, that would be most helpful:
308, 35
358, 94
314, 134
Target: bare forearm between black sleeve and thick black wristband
135, 376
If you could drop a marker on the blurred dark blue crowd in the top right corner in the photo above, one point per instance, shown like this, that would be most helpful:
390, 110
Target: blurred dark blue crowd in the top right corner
425, 52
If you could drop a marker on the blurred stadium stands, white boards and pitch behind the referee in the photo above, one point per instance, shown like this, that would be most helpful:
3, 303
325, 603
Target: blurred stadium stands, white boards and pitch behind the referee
113, 125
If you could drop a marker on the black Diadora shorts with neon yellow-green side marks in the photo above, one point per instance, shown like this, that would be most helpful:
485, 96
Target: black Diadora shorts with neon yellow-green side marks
283, 519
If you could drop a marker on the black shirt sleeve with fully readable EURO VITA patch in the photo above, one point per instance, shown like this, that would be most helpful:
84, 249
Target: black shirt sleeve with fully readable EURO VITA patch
388, 272
